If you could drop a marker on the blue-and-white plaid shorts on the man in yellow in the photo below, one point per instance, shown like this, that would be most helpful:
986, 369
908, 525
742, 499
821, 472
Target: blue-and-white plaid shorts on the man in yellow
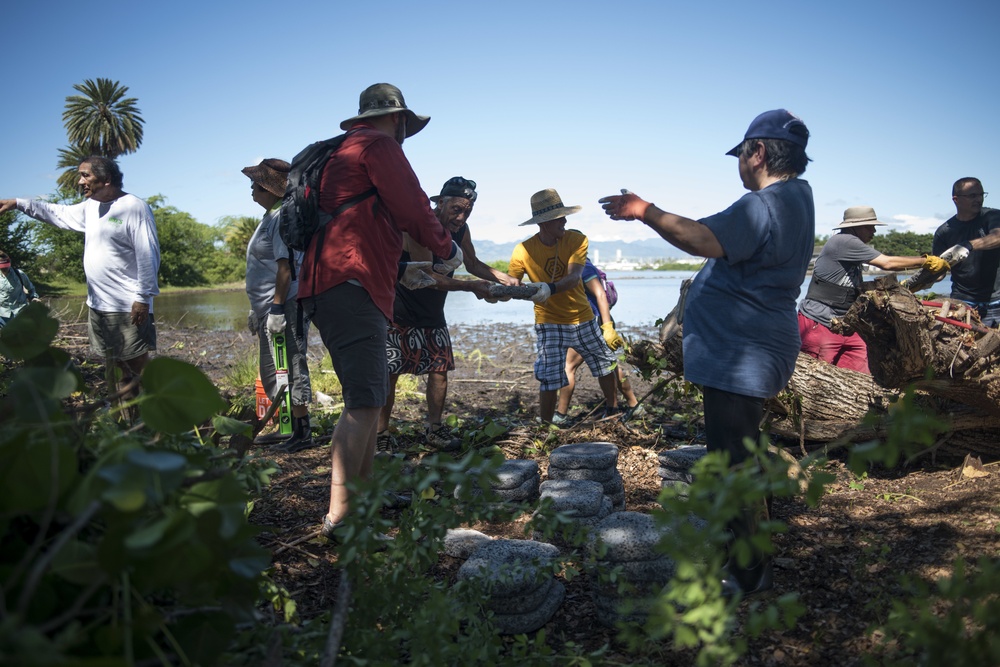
554, 339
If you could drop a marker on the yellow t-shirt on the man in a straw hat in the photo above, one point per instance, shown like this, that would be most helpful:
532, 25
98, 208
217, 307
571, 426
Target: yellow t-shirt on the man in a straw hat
547, 264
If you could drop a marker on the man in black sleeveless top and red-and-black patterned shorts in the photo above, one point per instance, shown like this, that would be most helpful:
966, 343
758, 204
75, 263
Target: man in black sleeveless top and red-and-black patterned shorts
418, 342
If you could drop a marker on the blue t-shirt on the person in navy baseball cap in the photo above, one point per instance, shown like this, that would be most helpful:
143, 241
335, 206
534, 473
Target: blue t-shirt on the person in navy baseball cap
740, 325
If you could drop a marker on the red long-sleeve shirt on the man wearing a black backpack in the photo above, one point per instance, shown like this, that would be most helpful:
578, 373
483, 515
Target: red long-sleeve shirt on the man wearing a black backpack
364, 242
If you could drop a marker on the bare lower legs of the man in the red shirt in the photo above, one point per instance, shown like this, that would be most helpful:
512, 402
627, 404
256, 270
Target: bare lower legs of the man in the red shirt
351, 453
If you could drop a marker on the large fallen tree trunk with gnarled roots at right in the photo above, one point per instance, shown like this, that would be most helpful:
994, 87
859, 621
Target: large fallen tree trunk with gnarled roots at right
953, 370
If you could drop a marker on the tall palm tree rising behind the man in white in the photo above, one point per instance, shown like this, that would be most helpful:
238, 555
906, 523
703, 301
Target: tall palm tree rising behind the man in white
100, 121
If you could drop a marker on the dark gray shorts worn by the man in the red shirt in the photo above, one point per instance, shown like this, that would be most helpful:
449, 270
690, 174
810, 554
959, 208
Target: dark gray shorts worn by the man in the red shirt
353, 330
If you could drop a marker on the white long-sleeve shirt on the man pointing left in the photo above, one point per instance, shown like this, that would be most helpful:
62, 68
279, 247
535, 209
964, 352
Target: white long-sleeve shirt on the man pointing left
121, 255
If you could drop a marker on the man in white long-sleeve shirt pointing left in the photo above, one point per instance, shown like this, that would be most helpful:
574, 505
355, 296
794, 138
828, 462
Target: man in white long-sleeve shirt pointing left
121, 259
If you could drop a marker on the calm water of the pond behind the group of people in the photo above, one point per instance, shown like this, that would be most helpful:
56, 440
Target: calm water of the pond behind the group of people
643, 297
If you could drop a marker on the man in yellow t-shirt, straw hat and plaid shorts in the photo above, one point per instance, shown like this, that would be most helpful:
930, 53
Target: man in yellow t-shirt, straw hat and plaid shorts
554, 259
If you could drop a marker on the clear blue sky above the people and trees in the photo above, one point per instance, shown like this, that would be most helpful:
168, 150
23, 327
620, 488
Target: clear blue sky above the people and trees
587, 97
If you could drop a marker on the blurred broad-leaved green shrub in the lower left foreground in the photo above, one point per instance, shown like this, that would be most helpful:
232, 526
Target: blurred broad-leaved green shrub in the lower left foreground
118, 547
